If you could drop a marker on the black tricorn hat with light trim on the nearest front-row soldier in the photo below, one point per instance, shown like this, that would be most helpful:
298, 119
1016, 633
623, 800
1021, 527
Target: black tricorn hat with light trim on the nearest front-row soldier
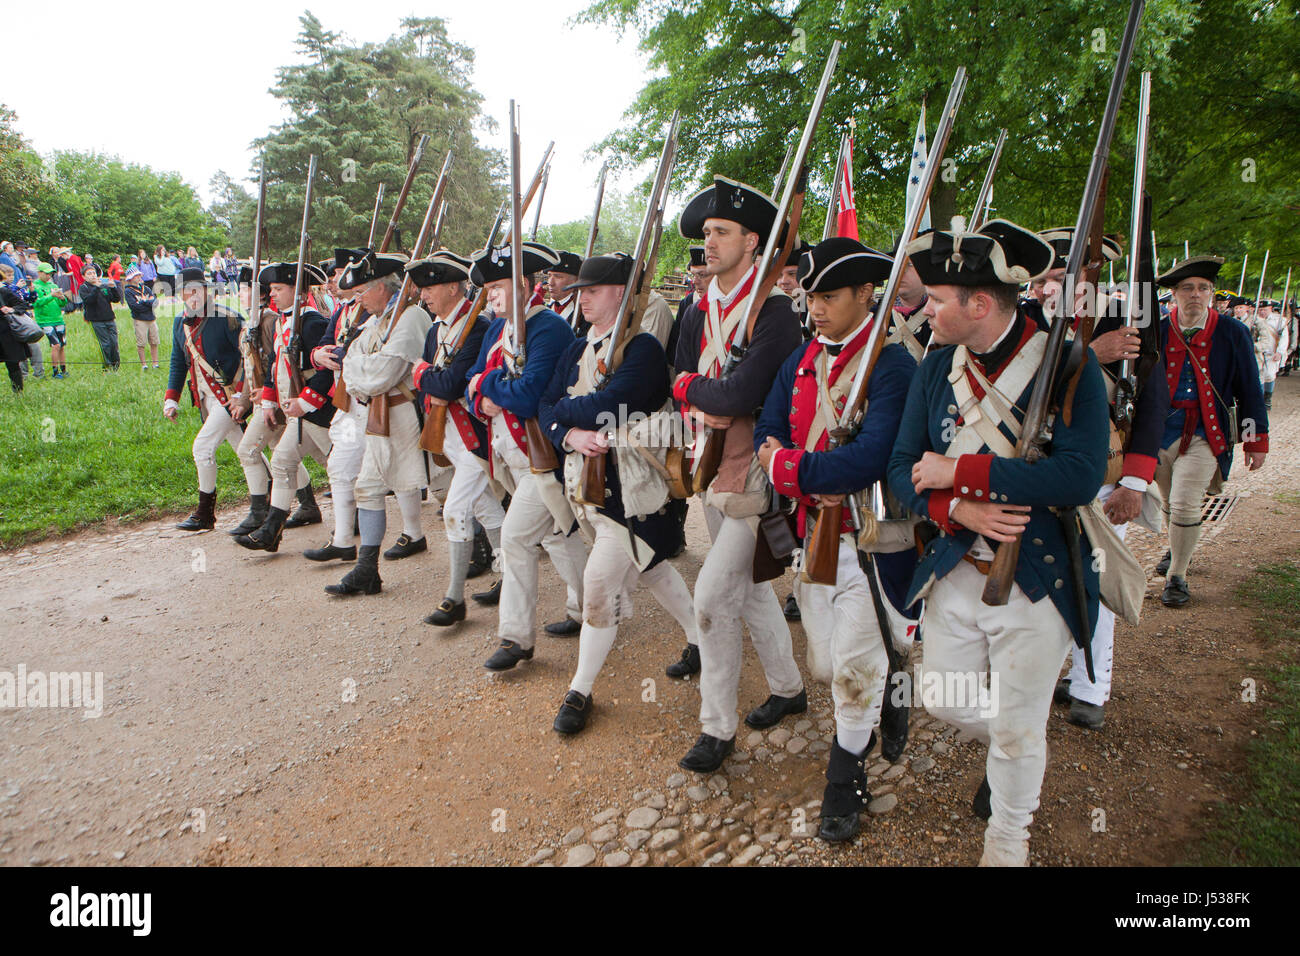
999, 253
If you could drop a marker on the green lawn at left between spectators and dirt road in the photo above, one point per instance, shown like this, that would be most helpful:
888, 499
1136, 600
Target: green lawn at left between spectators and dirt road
96, 445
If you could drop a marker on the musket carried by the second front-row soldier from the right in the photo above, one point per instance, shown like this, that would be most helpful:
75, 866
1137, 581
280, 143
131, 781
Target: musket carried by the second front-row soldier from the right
822, 552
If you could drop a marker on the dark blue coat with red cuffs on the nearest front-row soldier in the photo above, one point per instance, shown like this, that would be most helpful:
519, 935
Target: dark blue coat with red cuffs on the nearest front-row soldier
1071, 475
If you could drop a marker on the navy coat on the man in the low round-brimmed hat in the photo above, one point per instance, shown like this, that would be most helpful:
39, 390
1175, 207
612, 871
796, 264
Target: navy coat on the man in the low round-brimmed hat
639, 386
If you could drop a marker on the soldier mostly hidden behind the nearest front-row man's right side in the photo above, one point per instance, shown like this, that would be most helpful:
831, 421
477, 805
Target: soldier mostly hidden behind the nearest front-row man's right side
1121, 500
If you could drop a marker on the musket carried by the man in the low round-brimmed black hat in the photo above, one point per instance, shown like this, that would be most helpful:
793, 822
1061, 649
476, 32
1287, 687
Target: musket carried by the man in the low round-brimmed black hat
632, 305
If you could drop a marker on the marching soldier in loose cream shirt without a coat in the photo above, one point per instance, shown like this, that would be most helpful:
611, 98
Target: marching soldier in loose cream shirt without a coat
378, 369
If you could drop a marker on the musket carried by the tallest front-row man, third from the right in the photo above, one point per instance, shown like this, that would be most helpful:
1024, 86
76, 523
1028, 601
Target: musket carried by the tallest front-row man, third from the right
709, 443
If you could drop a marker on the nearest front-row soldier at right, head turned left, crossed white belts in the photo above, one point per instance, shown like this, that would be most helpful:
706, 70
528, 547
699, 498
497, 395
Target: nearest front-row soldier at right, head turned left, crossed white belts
955, 464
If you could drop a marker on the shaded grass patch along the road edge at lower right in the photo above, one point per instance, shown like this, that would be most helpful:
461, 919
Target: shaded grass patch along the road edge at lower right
1264, 828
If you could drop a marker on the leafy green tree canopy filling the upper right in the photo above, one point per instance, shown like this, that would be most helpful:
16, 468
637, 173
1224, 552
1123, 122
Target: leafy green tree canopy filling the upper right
743, 77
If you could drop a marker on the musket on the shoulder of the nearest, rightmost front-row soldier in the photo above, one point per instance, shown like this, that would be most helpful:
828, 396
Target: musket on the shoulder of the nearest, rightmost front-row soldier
1037, 430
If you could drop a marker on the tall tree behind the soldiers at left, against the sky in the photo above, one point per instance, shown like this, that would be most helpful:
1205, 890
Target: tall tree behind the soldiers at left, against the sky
362, 110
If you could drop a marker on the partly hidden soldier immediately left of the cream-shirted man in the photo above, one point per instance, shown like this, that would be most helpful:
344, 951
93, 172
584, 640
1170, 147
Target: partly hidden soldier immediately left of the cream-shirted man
348, 429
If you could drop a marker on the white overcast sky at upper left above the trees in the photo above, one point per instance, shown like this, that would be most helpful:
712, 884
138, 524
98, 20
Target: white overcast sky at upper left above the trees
142, 80
